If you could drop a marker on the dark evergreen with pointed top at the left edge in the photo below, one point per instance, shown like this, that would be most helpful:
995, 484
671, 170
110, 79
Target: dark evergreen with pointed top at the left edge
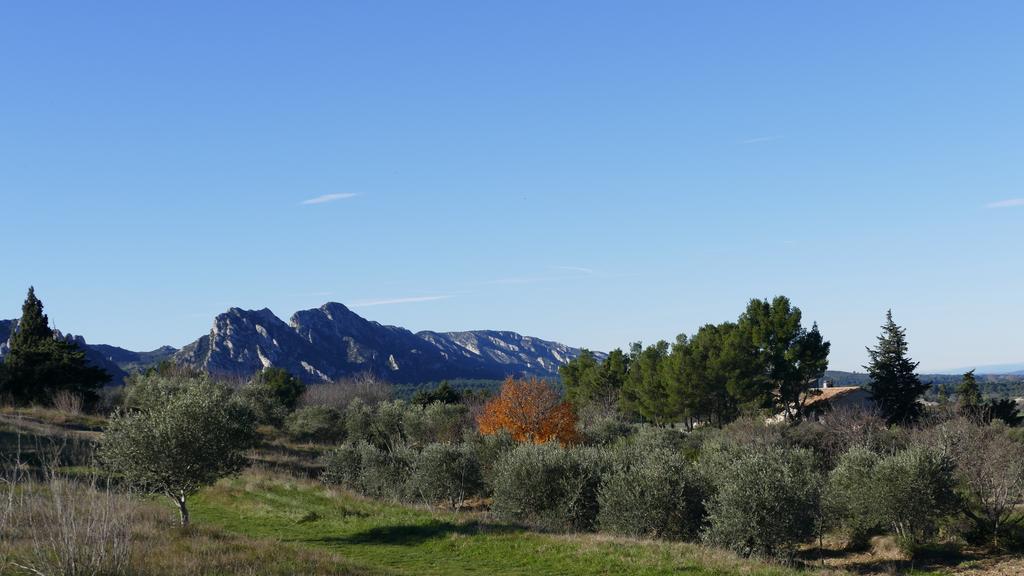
39, 365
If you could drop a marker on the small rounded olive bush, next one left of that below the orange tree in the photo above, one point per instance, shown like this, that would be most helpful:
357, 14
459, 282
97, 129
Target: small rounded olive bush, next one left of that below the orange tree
448, 473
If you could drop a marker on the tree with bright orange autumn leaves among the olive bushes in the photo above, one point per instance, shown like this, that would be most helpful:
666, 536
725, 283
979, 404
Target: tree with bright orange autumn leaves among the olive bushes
531, 412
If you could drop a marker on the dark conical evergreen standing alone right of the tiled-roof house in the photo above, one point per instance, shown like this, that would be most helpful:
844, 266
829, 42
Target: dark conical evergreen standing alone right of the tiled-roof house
894, 386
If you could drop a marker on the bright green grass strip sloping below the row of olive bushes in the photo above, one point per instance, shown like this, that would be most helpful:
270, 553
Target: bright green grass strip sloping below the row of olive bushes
405, 541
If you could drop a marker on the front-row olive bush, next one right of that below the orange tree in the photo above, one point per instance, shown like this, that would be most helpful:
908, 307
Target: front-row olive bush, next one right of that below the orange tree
652, 495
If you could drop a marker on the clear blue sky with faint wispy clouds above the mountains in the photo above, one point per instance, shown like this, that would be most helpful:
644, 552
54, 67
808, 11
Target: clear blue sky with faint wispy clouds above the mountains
592, 173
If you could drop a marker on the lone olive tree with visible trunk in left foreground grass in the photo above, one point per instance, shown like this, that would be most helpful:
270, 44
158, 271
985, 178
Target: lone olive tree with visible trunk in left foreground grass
194, 438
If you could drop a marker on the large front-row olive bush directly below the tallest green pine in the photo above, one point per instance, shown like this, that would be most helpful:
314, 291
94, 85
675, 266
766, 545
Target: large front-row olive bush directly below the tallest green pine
765, 502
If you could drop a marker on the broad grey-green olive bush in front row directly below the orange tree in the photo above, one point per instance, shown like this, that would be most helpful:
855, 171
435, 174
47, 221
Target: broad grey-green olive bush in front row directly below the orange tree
549, 487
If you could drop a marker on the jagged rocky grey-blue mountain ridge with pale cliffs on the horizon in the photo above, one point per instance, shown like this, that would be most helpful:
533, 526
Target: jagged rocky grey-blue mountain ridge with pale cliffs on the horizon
332, 342
